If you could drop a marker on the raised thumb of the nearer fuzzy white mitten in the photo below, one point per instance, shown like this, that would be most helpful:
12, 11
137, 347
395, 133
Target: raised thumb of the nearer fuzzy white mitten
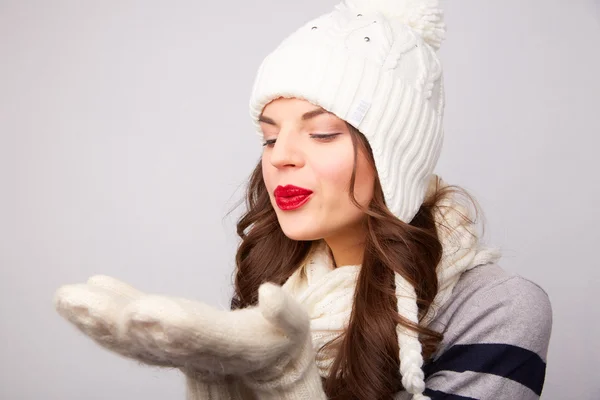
283, 311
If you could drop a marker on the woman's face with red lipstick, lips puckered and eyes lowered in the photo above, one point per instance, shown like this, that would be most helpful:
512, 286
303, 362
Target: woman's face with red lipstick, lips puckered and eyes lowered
307, 165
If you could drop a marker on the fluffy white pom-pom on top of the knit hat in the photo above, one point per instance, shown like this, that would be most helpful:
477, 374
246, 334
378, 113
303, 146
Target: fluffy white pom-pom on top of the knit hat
424, 16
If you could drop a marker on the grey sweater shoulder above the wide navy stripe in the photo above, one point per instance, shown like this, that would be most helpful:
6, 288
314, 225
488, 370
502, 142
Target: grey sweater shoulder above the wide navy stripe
491, 305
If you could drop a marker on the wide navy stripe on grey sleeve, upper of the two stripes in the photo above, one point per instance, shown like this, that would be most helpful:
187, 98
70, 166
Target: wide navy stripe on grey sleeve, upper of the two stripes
505, 360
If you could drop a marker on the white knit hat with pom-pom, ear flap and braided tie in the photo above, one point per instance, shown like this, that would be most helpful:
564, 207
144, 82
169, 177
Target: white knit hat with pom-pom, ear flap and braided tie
373, 63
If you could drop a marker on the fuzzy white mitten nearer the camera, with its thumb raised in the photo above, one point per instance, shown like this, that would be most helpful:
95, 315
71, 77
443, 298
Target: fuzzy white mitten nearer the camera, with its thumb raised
268, 346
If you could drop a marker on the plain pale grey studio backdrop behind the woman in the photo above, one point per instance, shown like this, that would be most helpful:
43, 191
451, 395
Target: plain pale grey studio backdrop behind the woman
125, 140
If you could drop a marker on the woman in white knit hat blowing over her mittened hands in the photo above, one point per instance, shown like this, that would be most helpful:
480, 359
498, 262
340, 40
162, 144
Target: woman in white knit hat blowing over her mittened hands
360, 274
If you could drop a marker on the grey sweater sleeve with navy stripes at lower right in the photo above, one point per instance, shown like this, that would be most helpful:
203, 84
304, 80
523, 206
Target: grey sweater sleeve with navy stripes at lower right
495, 344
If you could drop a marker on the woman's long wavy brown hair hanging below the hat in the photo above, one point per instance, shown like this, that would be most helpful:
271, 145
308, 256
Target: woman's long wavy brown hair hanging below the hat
366, 366
